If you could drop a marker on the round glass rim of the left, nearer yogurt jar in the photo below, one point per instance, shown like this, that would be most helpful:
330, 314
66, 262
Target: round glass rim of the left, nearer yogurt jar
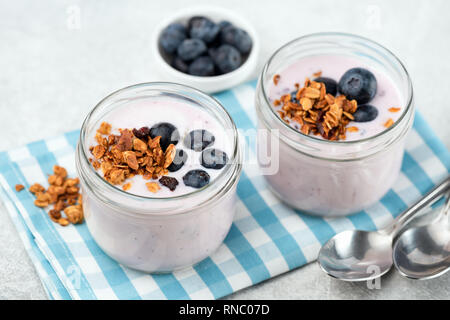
160, 86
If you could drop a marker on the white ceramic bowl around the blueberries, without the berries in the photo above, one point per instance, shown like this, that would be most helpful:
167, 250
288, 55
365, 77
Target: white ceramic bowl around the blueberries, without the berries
213, 83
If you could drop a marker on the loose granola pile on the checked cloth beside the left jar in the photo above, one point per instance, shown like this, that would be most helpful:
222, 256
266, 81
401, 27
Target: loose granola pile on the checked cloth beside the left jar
63, 193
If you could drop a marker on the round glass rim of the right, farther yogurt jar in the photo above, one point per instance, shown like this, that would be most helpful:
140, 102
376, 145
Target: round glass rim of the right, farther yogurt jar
338, 142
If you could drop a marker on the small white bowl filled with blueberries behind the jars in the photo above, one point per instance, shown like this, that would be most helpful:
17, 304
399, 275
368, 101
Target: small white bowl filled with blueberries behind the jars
231, 43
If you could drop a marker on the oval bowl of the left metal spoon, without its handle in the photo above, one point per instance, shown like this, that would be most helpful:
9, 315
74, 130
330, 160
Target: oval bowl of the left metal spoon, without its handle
356, 255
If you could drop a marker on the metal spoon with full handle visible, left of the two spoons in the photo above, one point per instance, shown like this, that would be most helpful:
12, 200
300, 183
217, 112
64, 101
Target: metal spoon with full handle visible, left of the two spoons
356, 255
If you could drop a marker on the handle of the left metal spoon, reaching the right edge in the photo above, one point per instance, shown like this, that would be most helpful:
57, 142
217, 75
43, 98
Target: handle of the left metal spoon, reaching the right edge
409, 213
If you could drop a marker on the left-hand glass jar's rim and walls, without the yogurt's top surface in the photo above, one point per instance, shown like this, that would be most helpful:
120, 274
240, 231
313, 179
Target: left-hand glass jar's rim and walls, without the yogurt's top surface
158, 234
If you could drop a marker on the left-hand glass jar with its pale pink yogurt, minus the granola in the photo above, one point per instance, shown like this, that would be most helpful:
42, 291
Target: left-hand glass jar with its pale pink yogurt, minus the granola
170, 228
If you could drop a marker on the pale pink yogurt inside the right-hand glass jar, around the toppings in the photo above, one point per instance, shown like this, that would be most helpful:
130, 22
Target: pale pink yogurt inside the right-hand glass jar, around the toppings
330, 178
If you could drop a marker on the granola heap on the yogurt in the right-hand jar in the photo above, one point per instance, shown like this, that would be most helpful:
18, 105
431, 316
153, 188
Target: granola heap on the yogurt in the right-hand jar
318, 112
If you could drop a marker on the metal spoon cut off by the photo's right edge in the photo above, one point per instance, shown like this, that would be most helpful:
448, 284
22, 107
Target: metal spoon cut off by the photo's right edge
424, 252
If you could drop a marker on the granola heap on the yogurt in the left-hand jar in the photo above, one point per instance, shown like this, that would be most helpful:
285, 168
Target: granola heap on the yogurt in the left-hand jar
123, 156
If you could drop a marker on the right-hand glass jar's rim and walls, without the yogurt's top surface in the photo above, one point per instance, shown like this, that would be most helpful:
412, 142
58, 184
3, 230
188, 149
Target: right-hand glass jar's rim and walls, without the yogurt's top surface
333, 178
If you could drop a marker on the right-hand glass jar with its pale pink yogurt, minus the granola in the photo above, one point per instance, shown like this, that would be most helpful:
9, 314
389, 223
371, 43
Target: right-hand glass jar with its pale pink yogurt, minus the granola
344, 175
